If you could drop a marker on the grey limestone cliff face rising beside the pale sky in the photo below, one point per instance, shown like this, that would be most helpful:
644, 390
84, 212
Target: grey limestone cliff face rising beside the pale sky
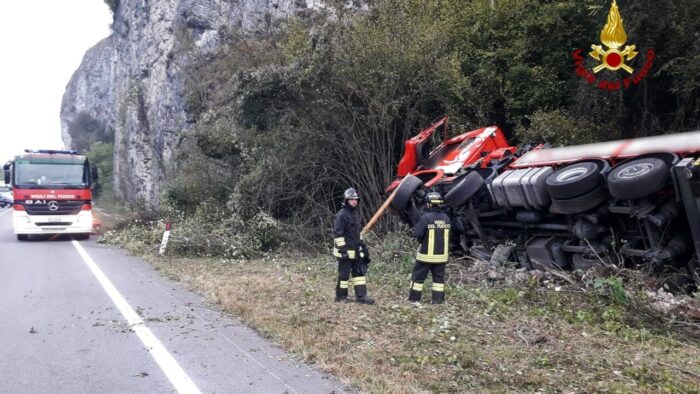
133, 80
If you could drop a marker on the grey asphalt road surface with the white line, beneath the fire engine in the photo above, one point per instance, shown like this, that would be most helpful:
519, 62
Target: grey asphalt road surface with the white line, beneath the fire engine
80, 317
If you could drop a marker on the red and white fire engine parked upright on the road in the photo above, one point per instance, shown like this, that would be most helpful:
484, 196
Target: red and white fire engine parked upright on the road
52, 192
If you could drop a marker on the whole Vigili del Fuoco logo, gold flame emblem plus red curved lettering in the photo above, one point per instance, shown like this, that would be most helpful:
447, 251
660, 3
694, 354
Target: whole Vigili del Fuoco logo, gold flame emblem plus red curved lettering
615, 55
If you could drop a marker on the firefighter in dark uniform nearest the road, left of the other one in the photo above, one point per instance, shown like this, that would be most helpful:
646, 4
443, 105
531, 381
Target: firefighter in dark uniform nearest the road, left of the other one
351, 251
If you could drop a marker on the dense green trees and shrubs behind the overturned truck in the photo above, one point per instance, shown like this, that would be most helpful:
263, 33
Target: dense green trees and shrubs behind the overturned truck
285, 120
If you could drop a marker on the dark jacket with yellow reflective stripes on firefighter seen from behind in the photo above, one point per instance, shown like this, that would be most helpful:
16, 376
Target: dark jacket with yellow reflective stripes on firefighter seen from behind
433, 232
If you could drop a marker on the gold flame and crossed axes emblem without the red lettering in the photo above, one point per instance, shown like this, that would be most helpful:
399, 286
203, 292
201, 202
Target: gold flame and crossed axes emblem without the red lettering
613, 37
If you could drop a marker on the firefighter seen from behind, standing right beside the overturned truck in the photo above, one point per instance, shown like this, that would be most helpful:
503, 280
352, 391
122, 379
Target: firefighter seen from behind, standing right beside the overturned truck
433, 231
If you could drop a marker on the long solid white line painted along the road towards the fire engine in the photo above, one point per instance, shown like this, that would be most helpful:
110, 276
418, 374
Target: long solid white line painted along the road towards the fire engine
177, 376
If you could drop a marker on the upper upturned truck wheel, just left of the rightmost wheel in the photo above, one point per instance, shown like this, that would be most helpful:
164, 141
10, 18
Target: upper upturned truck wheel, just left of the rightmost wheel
574, 180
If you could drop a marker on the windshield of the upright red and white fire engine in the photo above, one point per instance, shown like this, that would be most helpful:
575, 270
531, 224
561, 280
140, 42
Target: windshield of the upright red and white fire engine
51, 175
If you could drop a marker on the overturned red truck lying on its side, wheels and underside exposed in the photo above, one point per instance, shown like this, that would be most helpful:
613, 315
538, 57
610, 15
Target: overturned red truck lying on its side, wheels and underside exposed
632, 202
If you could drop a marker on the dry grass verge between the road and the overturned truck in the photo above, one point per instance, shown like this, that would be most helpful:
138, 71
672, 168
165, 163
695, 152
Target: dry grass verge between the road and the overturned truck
513, 338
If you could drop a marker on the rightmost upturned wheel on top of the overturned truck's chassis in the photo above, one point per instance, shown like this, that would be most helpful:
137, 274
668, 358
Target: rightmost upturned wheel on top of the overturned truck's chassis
637, 178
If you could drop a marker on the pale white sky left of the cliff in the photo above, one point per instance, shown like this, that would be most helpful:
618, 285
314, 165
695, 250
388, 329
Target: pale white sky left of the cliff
42, 43
